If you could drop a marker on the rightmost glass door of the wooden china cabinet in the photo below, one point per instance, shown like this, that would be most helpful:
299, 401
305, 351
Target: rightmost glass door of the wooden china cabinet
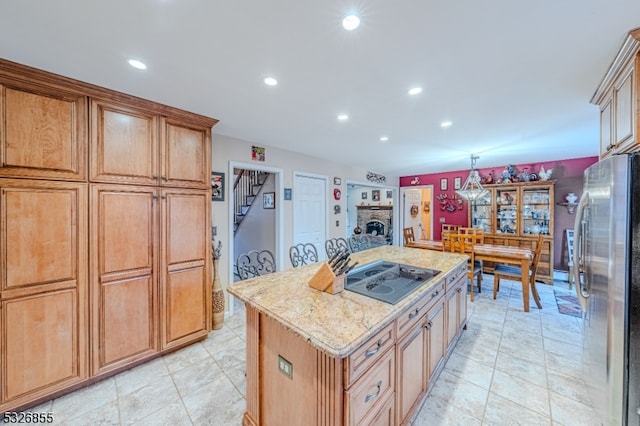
536, 211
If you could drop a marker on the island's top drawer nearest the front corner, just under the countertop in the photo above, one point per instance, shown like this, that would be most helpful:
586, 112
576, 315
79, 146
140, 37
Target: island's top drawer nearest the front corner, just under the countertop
368, 353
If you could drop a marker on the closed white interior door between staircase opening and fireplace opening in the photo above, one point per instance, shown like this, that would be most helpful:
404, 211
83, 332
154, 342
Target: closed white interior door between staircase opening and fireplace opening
309, 212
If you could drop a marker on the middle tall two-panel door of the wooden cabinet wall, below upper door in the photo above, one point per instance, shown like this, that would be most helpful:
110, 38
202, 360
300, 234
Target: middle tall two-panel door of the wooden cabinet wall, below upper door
123, 278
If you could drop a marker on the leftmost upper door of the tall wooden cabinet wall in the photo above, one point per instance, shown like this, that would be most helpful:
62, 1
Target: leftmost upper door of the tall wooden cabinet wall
43, 132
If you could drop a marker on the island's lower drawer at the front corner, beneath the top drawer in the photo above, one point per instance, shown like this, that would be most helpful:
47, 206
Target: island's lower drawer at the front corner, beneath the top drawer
371, 391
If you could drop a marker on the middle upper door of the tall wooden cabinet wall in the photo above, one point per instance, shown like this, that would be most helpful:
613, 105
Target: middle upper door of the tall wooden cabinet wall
124, 144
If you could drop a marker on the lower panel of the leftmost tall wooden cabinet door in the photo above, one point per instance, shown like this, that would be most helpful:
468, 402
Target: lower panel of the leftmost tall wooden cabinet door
42, 343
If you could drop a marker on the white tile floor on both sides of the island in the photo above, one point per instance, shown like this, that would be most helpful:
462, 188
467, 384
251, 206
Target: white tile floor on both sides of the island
508, 368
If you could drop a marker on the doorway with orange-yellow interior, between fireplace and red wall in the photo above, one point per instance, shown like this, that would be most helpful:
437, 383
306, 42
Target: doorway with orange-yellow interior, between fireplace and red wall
417, 203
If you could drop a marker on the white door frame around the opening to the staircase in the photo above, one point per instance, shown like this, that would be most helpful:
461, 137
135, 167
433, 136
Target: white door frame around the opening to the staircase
278, 175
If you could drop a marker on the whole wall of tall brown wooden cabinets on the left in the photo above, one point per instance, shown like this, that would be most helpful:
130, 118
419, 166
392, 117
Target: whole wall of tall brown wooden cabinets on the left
105, 238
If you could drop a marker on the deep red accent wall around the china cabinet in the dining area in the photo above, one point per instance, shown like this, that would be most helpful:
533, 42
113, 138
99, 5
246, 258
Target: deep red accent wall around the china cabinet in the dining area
568, 175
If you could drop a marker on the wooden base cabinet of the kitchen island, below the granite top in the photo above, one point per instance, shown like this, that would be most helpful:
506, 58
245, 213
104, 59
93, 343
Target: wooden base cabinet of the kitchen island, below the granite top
381, 381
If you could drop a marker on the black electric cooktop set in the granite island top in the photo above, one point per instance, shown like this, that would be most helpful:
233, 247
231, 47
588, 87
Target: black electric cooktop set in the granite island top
387, 281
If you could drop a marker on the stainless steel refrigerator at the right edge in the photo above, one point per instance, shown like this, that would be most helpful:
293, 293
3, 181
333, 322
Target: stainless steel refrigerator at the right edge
607, 270
